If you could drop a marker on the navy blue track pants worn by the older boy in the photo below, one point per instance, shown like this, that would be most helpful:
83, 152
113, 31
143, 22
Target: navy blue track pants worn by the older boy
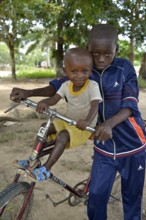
104, 169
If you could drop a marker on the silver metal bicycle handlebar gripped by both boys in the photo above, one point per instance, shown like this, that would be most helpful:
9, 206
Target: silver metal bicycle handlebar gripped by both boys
50, 112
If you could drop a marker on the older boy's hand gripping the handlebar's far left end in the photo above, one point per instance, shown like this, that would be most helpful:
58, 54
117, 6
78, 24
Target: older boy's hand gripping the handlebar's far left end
18, 94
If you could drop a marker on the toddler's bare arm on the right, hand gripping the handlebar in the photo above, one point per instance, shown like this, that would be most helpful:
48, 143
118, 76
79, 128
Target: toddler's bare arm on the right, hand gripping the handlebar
82, 124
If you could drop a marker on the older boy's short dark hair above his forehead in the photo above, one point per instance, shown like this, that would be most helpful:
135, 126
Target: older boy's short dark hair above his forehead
101, 31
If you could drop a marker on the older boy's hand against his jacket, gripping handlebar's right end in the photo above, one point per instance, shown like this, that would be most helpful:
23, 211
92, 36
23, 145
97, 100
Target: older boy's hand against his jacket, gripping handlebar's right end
103, 132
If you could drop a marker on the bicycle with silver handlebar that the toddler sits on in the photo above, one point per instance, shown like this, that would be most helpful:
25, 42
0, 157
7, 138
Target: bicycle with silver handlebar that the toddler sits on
22, 192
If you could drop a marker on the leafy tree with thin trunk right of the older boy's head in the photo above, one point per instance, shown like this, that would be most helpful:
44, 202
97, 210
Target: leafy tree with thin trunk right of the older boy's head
132, 18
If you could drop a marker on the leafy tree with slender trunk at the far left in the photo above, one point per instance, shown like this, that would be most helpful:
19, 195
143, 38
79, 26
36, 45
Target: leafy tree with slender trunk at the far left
16, 19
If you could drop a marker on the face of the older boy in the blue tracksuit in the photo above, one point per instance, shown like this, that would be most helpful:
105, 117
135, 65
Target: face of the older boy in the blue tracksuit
103, 52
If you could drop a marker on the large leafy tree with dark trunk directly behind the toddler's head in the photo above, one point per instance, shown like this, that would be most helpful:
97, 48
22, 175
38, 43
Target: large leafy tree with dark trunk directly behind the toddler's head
69, 26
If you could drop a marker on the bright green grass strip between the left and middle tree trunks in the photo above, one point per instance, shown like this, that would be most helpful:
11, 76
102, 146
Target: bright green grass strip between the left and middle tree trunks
36, 73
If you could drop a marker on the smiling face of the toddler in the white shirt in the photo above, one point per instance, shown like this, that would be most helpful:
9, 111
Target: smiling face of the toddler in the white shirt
78, 70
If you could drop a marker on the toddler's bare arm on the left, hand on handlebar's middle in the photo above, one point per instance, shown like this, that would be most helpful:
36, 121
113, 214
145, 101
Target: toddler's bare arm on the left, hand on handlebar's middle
44, 104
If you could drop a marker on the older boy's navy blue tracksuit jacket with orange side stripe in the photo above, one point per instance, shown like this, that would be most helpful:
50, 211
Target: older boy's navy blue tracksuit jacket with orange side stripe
119, 89
